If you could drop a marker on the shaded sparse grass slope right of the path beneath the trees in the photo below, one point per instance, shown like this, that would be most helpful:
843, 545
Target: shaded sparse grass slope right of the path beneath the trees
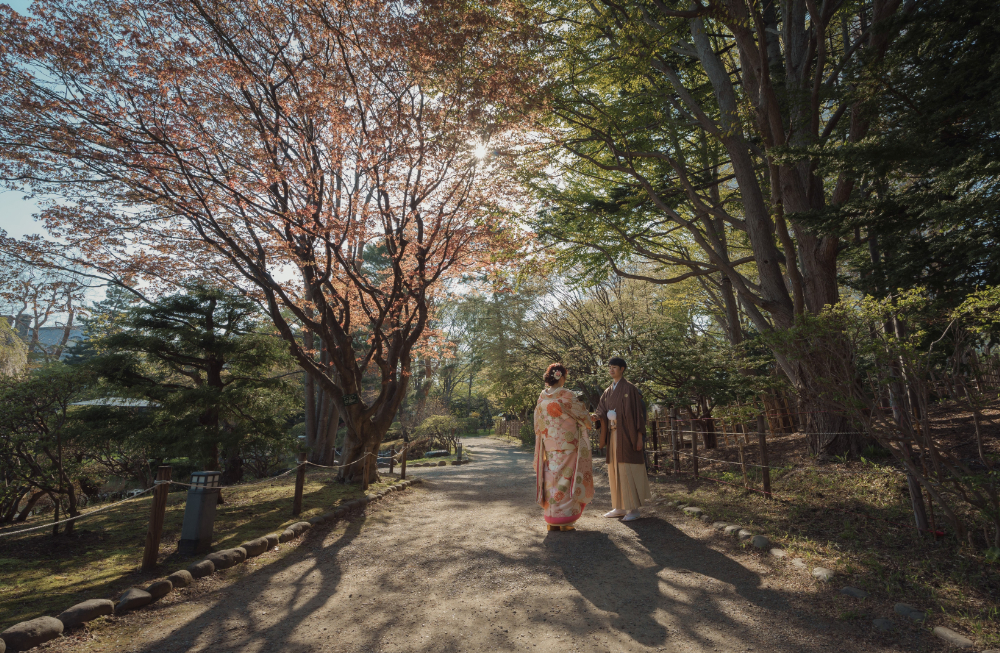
855, 518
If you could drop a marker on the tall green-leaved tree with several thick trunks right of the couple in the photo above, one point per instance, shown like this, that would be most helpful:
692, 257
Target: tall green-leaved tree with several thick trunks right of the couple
684, 135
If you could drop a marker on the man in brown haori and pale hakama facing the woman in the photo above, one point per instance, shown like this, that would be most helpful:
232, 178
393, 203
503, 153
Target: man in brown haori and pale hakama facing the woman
622, 419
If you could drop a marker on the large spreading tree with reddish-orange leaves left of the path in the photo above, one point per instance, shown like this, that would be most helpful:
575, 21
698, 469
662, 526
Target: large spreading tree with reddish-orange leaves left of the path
318, 155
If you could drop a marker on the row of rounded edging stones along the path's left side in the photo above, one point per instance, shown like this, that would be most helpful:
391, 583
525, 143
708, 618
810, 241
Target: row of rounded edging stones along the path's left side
28, 634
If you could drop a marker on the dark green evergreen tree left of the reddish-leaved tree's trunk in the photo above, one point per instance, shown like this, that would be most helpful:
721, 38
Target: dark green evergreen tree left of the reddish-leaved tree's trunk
215, 379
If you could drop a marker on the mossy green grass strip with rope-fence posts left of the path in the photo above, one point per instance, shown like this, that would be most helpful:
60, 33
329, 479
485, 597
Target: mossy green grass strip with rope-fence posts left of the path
41, 574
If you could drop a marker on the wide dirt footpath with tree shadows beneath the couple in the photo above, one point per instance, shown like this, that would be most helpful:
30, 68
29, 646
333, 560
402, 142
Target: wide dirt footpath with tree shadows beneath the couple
464, 563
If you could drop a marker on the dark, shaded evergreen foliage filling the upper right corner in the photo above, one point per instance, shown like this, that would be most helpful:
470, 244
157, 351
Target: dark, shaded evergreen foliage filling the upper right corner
927, 209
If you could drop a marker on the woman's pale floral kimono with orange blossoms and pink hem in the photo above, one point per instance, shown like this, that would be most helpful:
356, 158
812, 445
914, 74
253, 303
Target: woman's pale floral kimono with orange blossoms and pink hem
563, 467
